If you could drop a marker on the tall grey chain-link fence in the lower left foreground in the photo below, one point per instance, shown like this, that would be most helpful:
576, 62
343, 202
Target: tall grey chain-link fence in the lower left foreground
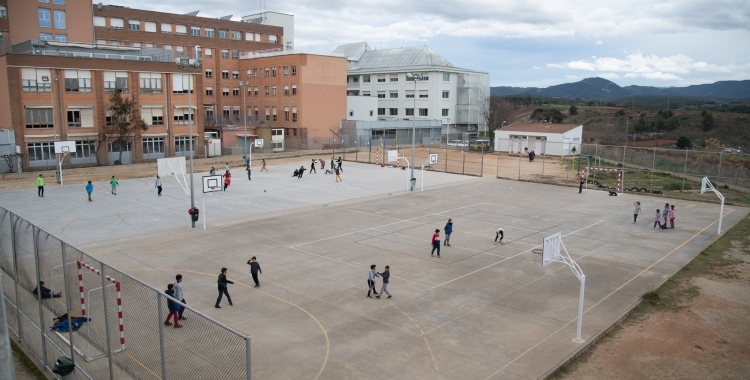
116, 327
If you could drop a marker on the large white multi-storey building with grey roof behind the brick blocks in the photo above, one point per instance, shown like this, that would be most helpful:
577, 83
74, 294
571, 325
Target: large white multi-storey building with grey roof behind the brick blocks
444, 92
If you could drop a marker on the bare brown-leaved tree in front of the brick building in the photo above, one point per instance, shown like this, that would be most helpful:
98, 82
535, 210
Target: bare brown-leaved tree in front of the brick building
125, 125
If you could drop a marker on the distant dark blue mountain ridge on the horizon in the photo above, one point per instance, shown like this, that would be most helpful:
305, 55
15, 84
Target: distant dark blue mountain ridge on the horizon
600, 88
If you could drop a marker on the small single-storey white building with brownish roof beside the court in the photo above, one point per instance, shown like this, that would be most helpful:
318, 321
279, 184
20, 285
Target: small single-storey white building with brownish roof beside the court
542, 138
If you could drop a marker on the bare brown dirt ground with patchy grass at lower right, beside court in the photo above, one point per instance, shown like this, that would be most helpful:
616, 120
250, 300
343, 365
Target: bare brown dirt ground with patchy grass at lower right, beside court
702, 335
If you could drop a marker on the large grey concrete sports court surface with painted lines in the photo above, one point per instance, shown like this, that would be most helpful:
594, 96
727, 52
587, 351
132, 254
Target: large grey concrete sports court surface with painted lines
481, 311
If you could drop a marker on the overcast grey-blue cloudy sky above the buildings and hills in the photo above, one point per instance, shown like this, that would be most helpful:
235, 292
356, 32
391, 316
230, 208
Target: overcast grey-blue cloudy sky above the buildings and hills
531, 42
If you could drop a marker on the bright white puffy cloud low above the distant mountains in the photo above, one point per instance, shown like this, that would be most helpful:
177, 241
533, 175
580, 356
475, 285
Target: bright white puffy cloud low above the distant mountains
644, 66
